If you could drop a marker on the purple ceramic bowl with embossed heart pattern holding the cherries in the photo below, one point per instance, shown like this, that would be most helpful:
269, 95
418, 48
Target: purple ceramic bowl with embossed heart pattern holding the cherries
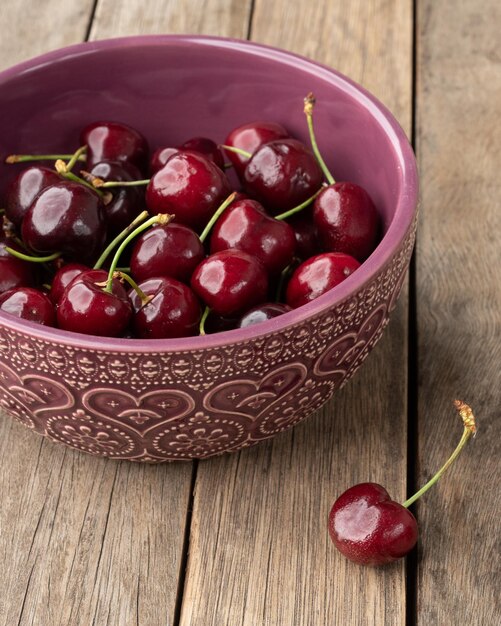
165, 400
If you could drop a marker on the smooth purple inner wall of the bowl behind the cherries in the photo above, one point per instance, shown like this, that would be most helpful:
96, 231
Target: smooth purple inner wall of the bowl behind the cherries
174, 88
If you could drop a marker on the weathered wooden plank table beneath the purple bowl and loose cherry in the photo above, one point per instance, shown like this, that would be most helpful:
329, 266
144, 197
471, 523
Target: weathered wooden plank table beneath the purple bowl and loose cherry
242, 539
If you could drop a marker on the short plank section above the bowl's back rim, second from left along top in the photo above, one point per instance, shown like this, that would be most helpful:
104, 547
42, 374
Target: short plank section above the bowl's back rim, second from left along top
209, 17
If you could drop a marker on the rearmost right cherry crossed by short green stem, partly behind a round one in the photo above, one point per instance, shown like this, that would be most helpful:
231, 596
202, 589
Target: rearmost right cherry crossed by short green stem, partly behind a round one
250, 137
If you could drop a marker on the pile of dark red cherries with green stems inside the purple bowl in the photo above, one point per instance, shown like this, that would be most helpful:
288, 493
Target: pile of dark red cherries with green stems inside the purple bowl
93, 246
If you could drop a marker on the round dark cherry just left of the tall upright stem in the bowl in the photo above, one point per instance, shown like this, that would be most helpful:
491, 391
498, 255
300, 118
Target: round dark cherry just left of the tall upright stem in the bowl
282, 174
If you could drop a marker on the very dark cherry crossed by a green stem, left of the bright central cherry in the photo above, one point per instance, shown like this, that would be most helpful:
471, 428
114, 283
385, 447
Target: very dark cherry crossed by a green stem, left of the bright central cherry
127, 202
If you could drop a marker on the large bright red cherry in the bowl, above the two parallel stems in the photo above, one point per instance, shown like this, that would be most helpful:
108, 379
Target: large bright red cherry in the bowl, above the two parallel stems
189, 186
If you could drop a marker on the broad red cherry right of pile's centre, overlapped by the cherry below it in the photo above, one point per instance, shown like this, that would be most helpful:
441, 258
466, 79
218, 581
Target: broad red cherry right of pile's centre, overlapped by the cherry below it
246, 226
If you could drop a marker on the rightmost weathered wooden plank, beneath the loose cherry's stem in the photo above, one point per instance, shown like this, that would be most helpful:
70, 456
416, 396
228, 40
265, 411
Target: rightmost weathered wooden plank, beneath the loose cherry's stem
459, 304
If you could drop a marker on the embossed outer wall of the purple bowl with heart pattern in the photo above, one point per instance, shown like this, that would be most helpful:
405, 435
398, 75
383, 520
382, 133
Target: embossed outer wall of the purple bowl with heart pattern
180, 405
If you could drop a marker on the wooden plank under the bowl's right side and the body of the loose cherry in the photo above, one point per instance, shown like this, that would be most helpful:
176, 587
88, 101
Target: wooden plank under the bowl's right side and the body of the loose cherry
259, 549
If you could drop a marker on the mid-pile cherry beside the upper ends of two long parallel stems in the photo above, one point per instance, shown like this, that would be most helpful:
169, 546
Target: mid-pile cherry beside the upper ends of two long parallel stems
172, 250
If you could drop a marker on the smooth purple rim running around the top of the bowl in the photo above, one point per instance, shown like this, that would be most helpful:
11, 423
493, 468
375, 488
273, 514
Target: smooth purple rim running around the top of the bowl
398, 229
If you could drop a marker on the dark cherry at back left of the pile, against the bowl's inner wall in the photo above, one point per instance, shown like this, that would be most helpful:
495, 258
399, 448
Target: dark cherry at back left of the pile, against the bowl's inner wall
114, 141
